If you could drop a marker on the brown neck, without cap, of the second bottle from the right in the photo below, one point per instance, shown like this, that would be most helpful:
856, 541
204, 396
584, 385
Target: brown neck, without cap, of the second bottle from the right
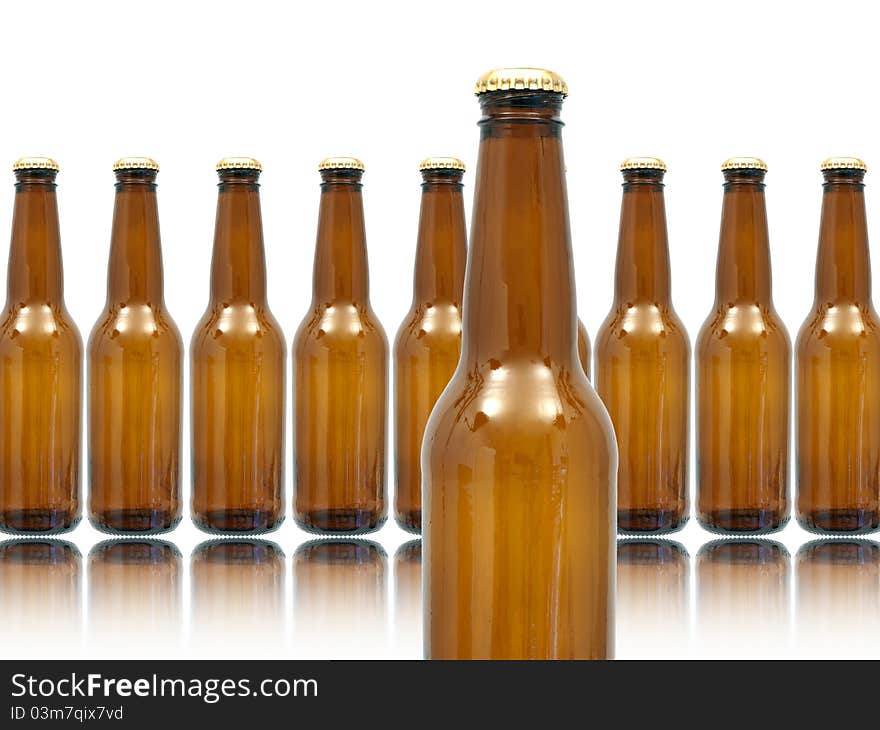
743, 271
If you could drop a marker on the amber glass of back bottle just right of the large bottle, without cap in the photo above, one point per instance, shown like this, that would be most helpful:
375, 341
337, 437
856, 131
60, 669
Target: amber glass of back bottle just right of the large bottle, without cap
643, 367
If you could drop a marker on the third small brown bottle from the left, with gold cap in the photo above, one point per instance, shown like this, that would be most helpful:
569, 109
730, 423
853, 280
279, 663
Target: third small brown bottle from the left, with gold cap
237, 360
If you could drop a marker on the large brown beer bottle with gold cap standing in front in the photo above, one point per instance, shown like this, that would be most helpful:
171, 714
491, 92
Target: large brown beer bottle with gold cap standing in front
518, 459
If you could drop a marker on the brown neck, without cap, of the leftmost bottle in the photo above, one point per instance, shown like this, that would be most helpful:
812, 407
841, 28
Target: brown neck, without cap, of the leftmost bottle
35, 271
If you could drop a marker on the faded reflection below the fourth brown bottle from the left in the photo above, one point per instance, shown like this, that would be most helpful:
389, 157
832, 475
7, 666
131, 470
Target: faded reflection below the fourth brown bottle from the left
339, 588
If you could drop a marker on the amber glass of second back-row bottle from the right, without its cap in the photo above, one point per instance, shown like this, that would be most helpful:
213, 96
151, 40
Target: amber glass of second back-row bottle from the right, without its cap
743, 376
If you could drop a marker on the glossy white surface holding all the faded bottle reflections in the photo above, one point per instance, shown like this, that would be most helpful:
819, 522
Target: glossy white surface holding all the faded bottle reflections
290, 595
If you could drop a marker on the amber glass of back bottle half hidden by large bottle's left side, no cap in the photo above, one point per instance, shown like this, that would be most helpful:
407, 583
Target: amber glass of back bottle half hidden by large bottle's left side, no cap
429, 340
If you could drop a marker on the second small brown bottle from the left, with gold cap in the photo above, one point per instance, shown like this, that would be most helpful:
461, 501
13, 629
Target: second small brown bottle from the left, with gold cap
135, 357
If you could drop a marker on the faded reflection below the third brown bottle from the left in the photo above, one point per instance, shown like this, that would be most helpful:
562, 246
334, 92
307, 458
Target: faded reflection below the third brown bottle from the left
238, 598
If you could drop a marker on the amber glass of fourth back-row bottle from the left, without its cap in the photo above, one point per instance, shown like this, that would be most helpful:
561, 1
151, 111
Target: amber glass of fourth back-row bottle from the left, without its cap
340, 376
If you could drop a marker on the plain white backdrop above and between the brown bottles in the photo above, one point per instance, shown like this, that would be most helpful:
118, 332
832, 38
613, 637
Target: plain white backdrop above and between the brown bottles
189, 83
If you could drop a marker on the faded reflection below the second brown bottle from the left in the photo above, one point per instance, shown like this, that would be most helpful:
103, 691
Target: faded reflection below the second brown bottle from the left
134, 596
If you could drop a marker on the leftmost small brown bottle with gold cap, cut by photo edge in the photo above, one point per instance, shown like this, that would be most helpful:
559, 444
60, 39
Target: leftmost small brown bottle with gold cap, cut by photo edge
40, 367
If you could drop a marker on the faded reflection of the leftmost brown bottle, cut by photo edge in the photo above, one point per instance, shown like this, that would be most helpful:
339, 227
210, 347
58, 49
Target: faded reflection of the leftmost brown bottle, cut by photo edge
40, 598
